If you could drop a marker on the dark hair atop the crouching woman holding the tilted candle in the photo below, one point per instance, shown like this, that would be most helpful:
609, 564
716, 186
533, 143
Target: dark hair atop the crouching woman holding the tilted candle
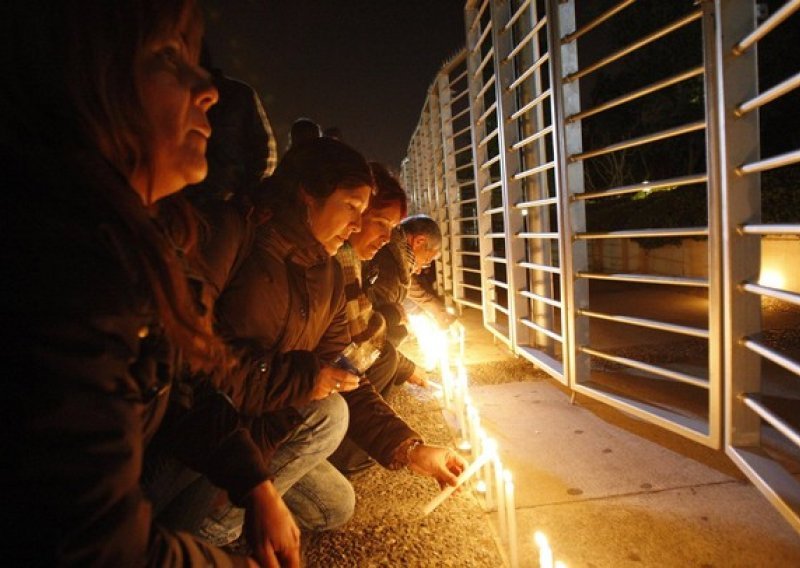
320, 166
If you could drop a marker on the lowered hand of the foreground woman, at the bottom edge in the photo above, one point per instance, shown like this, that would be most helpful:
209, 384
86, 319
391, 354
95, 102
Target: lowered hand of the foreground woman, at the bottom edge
270, 528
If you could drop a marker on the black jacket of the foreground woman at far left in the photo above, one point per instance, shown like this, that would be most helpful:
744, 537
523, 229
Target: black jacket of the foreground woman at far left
87, 371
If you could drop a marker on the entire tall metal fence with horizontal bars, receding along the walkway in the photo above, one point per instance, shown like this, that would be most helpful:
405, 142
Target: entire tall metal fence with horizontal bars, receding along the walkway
618, 177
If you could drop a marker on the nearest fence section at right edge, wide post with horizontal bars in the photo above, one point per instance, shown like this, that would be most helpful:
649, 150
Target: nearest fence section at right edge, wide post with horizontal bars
762, 381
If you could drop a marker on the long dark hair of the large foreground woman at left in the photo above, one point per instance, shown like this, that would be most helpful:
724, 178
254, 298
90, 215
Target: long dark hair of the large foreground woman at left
70, 85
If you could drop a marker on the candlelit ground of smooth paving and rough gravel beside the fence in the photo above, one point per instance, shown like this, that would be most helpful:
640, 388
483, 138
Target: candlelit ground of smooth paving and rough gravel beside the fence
608, 490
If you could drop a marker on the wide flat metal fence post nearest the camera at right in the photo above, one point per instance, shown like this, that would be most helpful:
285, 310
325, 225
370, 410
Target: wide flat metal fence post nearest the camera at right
741, 203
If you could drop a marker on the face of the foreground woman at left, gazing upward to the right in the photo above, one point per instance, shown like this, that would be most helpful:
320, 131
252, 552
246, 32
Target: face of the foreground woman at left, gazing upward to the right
176, 94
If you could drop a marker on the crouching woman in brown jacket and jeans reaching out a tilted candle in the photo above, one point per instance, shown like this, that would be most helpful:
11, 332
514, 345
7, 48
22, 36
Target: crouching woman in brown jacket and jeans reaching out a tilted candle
284, 310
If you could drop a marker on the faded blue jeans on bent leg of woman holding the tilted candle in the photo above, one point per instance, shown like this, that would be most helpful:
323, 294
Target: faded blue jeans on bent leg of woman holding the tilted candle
318, 495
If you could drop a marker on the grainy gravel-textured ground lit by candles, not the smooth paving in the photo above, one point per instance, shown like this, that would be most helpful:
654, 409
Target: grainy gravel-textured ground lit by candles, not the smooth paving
388, 528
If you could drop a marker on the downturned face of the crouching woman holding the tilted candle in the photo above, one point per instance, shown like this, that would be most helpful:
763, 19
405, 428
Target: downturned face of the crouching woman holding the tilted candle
332, 220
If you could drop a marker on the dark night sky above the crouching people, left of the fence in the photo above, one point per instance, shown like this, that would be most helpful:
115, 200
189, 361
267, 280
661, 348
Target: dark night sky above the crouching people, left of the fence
362, 65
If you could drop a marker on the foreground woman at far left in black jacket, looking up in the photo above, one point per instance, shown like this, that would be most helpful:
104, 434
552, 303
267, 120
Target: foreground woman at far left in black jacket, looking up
102, 115
